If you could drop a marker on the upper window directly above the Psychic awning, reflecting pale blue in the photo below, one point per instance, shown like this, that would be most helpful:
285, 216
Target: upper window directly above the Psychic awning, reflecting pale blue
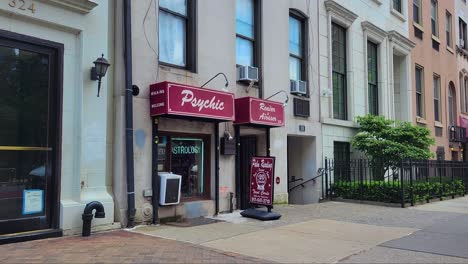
177, 45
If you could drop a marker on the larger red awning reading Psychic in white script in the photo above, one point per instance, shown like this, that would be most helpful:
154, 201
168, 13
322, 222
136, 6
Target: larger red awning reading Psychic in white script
179, 100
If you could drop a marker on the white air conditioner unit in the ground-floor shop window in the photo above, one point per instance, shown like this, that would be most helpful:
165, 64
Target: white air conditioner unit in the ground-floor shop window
170, 188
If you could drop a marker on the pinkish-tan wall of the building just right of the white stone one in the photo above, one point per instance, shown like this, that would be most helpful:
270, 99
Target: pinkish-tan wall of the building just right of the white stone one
442, 62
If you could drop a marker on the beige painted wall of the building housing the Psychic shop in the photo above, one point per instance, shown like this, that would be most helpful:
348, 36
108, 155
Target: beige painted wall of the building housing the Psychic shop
215, 53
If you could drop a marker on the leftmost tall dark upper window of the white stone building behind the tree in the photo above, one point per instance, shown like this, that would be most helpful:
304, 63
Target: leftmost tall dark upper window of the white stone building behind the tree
339, 66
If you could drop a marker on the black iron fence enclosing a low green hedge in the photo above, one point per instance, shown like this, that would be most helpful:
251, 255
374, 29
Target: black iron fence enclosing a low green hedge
406, 182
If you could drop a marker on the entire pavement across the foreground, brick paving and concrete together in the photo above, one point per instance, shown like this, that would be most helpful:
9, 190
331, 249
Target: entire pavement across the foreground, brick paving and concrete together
328, 232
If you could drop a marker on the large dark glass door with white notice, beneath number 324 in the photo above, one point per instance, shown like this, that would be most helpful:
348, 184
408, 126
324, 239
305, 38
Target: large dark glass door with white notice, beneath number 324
27, 136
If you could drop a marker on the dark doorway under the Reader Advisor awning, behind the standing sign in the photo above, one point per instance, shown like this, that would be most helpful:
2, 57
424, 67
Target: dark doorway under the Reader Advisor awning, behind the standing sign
248, 149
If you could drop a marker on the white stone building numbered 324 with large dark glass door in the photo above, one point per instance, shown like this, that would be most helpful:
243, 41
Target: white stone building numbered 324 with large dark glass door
55, 136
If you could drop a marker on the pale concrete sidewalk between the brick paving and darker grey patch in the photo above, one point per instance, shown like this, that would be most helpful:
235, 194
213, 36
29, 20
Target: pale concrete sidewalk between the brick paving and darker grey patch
321, 233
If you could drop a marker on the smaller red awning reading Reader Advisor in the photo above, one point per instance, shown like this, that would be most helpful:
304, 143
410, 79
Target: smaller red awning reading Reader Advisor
259, 112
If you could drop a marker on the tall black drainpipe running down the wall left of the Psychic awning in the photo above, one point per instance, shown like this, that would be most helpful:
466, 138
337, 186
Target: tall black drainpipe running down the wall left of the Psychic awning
129, 114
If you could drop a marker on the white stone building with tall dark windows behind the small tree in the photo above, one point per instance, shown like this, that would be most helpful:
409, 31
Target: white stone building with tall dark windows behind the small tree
364, 67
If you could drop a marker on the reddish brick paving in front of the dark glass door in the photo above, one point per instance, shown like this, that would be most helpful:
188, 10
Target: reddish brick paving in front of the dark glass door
115, 247
